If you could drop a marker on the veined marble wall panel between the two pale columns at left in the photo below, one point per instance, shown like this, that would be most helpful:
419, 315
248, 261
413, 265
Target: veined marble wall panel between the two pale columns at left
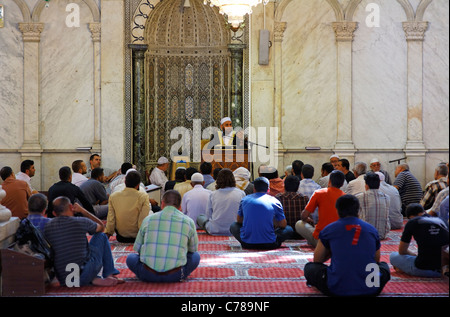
67, 80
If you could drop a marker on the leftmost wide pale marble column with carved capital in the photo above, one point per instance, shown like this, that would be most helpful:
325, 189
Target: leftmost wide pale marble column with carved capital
31, 147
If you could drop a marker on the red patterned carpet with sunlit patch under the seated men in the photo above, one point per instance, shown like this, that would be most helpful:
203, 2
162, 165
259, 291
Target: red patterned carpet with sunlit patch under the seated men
227, 270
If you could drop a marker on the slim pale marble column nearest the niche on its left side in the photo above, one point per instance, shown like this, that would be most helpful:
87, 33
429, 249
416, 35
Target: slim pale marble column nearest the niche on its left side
95, 28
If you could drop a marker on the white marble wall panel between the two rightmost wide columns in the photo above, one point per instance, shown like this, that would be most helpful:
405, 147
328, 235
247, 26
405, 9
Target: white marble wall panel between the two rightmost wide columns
380, 78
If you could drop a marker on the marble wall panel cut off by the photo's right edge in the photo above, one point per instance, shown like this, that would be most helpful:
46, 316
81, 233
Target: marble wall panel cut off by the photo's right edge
436, 76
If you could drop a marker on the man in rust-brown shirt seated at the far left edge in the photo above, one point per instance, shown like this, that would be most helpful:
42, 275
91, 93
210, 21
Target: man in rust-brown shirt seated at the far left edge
17, 193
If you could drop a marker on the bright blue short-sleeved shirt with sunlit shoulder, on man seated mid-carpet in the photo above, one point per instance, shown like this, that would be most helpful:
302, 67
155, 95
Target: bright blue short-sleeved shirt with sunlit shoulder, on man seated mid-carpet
259, 210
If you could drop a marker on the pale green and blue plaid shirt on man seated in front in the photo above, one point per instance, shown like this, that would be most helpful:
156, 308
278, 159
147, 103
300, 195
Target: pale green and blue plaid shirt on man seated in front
165, 238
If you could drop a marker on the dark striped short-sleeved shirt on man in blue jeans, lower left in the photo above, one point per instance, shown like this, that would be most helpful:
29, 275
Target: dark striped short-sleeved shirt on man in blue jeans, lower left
67, 237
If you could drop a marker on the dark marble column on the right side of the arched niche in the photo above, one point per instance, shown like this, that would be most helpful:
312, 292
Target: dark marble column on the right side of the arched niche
236, 111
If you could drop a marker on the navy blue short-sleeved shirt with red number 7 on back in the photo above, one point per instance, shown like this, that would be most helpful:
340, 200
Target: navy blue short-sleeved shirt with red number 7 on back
353, 244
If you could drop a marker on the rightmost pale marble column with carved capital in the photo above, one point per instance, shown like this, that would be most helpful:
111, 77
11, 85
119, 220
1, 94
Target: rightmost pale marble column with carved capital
415, 148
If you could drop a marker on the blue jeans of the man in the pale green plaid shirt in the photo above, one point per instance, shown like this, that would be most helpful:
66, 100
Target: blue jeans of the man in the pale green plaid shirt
142, 273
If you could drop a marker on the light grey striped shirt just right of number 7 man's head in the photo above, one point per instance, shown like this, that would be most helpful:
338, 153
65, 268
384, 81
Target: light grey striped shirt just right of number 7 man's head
374, 209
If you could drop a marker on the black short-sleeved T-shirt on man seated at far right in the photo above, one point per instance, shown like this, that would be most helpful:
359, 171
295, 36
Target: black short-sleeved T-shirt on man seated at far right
431, 234
